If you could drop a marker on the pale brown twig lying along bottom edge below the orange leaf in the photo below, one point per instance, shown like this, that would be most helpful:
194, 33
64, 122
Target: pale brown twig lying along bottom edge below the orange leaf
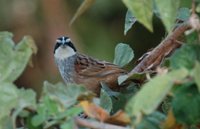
96, 125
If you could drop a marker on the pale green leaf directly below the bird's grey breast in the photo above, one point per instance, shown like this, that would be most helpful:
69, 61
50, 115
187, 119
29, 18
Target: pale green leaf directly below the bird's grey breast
65, 95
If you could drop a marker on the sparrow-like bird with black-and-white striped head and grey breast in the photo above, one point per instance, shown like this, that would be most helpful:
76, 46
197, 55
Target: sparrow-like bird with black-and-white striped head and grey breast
78, 68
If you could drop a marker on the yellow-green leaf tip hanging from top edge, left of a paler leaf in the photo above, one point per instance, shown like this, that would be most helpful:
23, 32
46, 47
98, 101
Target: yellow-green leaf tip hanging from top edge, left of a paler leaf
143, 15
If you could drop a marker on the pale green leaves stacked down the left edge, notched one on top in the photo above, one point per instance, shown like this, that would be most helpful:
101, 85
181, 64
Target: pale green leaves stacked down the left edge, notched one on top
14, 59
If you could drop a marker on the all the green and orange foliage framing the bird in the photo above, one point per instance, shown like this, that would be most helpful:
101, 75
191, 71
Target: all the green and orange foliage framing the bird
139, 108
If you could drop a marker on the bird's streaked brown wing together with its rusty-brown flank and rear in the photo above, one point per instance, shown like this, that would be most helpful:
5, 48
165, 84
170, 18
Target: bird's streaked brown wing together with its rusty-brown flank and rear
91, 72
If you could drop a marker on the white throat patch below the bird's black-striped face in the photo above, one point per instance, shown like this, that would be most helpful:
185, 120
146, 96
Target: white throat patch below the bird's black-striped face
64, 52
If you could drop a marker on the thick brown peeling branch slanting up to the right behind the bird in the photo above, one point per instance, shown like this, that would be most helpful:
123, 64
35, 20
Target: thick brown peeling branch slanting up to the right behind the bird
167, 46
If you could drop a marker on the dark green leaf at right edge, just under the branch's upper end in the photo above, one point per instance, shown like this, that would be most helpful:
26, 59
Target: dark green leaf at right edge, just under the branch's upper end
185, 56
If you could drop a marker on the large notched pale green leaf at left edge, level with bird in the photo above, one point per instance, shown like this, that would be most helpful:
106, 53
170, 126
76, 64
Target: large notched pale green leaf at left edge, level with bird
14, 58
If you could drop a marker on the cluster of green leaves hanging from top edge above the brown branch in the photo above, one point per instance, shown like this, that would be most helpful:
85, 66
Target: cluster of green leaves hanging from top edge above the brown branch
165, 10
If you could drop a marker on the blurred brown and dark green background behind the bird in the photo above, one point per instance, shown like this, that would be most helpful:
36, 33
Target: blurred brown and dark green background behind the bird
95, 33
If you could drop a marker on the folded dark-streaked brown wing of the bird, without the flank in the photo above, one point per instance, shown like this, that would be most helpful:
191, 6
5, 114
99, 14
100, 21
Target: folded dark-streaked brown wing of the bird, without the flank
89, 67
